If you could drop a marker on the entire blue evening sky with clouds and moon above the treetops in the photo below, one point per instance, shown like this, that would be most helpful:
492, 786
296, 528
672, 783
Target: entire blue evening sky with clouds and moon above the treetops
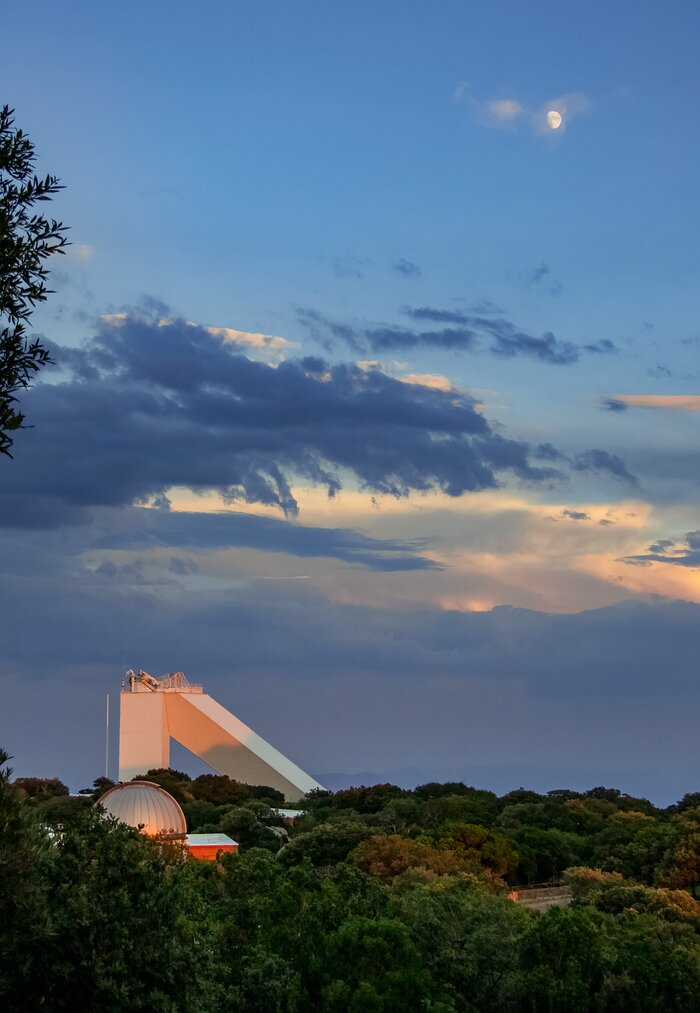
374, 405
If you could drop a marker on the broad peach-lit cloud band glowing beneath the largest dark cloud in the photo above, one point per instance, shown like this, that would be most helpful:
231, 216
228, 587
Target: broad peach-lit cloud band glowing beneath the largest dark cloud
490, 550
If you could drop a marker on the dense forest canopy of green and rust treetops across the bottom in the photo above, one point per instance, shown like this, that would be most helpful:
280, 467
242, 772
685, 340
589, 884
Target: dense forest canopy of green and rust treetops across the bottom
375, 899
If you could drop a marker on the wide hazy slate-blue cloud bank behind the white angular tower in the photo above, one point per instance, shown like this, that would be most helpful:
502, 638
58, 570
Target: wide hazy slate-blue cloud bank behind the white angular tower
508, 689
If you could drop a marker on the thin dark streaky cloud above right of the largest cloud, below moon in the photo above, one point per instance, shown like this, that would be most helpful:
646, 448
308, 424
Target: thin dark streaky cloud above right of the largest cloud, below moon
468, 332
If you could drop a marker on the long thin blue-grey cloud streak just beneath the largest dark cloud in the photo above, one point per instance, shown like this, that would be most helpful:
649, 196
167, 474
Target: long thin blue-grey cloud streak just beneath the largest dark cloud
147, 529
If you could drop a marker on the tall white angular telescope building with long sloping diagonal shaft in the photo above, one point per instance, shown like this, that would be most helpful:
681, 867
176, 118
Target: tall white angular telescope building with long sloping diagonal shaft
152, 712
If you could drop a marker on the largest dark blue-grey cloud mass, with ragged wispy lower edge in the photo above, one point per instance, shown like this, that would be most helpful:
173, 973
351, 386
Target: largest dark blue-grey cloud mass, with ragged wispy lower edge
147, 406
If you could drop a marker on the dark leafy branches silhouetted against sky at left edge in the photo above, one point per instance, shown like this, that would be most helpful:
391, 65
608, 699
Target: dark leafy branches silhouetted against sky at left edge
27, 241
